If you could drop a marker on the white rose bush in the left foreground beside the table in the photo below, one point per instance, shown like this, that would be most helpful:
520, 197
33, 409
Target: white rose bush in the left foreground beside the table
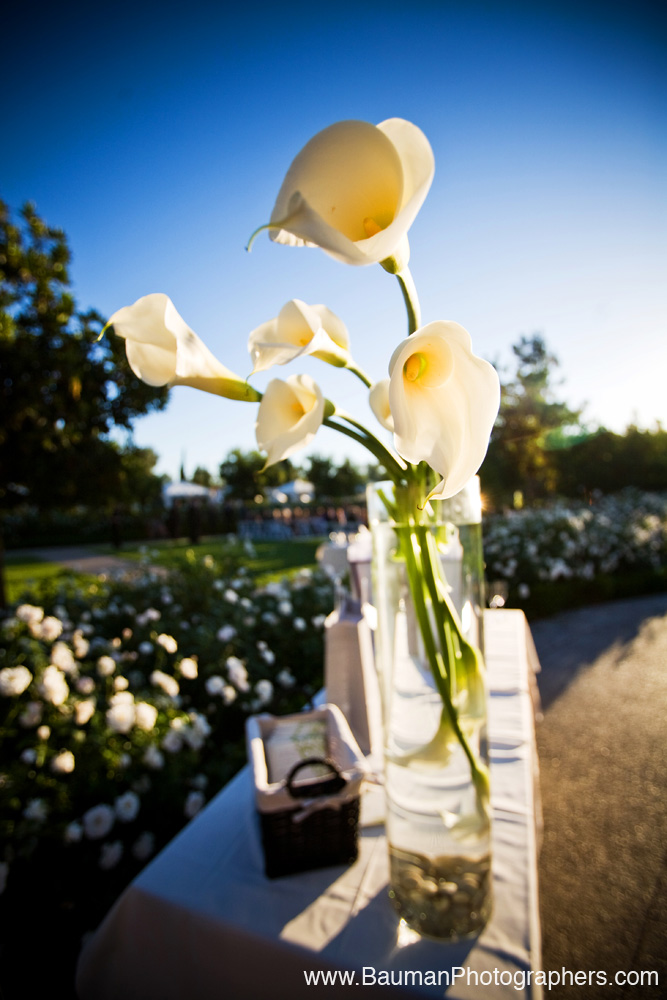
108, 747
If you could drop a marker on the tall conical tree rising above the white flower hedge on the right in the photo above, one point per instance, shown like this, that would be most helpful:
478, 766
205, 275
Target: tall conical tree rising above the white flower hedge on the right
519, 460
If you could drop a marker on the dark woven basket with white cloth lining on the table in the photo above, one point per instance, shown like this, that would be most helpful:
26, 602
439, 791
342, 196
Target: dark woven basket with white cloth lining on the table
308, 817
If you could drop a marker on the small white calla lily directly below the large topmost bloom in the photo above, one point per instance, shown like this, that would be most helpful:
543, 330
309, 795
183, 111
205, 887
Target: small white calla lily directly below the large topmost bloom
297, 330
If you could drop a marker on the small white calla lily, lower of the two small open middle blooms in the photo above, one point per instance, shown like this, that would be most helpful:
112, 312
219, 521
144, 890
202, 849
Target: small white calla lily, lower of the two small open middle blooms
289, 416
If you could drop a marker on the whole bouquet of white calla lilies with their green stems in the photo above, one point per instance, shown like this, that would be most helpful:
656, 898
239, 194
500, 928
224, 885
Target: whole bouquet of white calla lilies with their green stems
353, 191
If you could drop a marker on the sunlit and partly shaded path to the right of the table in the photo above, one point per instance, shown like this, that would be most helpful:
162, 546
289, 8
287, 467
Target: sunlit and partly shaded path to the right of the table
603, 759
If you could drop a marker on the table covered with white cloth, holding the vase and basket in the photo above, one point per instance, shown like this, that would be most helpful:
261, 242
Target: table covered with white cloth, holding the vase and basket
202, 921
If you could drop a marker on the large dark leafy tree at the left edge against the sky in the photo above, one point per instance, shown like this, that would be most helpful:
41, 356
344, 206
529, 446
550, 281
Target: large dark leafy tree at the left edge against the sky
62, 389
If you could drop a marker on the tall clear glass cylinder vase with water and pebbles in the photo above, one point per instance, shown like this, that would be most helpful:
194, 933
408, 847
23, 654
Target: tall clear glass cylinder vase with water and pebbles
428, 585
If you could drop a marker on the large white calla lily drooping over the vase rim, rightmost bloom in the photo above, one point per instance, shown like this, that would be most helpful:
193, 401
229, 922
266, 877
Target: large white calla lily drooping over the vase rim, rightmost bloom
444, 401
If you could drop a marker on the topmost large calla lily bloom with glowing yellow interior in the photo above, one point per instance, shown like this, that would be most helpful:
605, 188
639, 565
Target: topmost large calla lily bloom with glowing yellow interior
354, 190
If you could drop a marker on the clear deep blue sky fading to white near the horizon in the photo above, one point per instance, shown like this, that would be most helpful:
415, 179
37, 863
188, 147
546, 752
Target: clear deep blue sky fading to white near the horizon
157, 136
